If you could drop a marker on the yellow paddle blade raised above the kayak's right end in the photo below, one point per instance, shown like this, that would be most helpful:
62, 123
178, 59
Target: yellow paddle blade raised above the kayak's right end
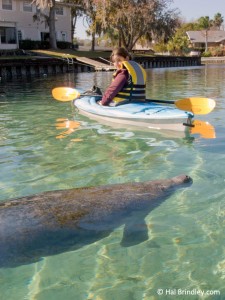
196, 105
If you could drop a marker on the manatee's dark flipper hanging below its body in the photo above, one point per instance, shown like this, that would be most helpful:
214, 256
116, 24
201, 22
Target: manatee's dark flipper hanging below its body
134, 234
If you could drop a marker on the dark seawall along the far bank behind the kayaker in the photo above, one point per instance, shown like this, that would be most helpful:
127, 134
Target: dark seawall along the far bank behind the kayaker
13, 68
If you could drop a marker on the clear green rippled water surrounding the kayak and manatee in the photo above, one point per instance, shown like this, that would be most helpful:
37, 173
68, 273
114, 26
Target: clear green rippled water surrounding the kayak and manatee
38, 152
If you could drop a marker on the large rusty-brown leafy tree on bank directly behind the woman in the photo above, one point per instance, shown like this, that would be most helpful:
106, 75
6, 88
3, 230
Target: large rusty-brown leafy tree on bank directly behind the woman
134, 19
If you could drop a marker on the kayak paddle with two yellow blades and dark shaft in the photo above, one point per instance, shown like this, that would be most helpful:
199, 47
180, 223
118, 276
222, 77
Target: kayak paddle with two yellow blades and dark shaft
196, 105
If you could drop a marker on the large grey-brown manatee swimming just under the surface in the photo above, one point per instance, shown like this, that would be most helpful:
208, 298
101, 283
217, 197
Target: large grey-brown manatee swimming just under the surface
54, 222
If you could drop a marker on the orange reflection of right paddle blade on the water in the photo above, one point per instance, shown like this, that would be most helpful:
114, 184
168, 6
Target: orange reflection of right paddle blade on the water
205, 129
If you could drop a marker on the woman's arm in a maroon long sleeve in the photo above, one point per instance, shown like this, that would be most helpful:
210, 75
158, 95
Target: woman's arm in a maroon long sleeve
115, 87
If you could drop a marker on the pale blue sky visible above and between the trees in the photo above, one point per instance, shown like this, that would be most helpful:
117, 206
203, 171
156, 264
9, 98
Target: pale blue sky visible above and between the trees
190, 10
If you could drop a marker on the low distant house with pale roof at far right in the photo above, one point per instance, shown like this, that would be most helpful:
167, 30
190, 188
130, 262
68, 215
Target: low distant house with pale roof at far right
214, 38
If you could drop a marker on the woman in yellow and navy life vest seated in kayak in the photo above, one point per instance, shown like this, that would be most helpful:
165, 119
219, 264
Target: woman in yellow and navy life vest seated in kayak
128, 83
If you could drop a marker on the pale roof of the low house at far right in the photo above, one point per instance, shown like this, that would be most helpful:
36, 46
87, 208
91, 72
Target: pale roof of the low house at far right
214, 36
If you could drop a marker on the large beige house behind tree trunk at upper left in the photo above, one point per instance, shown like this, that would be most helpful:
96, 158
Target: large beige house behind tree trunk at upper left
17, 23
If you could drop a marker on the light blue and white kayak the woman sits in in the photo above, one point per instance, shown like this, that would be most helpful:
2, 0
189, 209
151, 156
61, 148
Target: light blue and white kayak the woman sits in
146, 115
